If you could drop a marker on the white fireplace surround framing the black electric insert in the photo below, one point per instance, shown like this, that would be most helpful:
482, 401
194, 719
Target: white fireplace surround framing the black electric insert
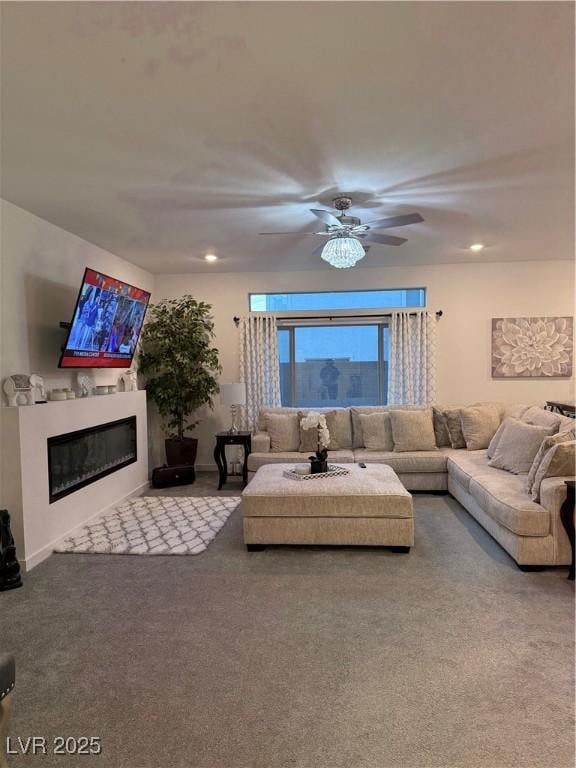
38, 525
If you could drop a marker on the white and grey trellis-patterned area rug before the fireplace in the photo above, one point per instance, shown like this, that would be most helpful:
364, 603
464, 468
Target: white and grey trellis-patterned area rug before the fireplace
155, 525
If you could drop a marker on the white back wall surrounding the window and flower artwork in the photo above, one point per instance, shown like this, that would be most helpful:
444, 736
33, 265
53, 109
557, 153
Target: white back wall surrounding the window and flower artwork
469, 294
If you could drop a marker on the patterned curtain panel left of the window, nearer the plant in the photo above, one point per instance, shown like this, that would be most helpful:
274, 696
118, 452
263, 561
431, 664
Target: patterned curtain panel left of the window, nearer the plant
259, 366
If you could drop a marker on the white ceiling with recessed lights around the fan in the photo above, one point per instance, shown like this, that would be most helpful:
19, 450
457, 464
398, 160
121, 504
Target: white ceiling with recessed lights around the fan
161, 131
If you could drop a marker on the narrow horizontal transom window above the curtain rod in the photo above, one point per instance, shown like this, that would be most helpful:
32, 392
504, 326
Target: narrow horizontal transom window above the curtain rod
342, 300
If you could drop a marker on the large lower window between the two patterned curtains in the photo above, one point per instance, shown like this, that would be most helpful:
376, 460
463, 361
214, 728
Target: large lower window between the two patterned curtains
333, 365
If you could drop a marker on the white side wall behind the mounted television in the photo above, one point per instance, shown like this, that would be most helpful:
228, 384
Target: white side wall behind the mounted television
41, 268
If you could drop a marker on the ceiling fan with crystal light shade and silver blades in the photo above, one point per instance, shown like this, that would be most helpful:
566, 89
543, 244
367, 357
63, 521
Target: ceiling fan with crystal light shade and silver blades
348, 234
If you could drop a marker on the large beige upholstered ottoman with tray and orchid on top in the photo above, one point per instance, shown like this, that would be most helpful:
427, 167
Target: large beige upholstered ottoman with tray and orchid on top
367, 507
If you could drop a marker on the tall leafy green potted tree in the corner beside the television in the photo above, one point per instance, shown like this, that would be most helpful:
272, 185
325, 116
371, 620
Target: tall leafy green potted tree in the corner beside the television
179, 364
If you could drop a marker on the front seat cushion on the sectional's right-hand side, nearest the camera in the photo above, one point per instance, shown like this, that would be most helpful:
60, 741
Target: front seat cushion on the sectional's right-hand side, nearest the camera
503, 497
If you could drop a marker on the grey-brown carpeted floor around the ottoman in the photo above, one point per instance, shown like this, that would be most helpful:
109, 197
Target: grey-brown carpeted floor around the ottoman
448, 657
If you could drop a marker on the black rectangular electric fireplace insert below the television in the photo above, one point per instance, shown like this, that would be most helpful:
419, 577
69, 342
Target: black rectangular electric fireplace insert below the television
79, 458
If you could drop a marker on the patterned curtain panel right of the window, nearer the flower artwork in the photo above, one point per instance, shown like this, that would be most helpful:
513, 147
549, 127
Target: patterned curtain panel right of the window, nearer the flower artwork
412, 368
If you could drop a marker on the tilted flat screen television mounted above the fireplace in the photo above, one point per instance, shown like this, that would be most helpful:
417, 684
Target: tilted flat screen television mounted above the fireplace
106, 323
